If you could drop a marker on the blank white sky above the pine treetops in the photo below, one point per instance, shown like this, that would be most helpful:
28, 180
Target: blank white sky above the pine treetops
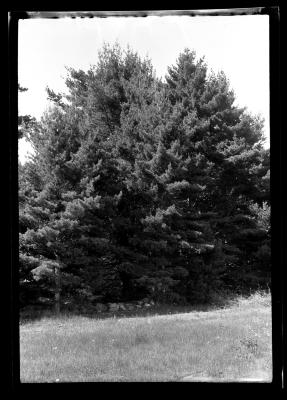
238, 45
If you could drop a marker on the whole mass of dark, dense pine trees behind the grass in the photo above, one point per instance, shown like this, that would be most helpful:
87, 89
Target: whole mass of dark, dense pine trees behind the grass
143, 188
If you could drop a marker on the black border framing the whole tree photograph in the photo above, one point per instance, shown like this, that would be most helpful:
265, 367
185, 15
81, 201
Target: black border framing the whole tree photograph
278, 223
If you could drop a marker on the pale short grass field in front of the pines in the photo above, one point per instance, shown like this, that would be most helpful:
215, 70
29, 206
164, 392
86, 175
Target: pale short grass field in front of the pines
232, 344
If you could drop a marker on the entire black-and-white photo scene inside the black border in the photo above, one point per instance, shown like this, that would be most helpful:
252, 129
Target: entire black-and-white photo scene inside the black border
144, 198
